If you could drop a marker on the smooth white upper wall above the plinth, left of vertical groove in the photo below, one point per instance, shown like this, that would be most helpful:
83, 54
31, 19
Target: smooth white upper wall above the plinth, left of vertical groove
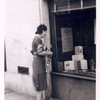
22, 18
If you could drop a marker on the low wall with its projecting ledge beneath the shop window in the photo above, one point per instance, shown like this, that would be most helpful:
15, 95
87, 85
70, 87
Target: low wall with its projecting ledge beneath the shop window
72, 86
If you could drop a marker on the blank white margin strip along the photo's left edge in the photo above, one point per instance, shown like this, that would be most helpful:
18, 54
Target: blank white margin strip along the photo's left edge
2, 9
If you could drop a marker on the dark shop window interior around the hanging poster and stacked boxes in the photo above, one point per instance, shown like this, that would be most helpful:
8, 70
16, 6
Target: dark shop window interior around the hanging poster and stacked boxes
82, 24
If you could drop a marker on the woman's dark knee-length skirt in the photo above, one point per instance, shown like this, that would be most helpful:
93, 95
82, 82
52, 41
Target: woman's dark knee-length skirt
39, 74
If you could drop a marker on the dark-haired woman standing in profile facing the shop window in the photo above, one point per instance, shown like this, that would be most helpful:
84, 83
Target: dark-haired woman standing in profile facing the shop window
39, 52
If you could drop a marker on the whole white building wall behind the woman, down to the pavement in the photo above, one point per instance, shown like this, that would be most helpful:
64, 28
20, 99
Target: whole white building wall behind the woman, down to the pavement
21, 20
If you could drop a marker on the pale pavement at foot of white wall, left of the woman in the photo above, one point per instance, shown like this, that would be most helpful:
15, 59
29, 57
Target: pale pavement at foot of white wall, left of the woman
13, 95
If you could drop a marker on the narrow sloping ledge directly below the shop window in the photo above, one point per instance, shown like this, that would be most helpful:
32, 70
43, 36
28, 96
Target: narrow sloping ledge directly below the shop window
74, 76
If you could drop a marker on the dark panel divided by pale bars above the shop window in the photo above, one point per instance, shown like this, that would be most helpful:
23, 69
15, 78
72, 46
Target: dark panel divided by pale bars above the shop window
65, 5
